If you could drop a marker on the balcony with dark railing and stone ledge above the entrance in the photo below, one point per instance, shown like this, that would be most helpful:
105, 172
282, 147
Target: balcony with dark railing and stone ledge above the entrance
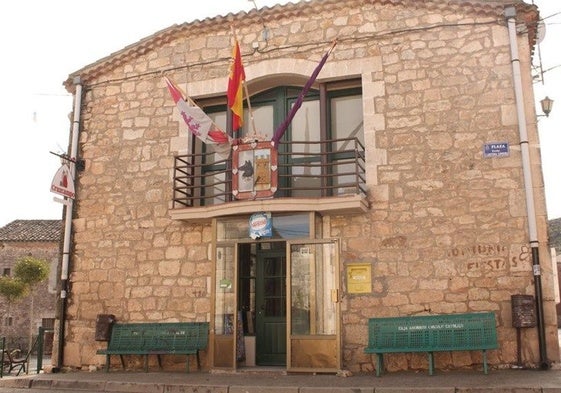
327, 177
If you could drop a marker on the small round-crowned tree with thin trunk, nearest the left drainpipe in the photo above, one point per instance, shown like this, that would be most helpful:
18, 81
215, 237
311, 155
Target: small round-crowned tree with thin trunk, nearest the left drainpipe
31, 271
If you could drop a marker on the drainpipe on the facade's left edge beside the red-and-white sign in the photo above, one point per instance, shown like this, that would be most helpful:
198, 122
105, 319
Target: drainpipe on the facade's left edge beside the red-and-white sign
68, 222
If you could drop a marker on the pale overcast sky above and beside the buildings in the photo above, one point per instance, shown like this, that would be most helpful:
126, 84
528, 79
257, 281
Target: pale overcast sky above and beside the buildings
44, 41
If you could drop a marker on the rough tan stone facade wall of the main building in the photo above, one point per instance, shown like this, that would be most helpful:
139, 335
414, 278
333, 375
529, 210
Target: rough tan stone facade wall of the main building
446, 231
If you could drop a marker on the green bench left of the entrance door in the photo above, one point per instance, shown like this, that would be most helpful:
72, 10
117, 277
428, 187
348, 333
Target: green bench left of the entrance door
170, 338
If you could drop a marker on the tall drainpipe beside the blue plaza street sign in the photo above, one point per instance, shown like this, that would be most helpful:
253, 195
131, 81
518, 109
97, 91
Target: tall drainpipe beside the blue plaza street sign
510, 14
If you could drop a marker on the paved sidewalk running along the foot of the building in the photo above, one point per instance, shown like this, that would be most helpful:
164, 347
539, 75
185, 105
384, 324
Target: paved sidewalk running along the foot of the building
502, 381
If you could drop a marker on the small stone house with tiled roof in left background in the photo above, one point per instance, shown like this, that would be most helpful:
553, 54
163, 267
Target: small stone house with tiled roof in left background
40, 239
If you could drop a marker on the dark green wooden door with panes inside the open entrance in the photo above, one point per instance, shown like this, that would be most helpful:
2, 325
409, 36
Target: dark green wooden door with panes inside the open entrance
271, 308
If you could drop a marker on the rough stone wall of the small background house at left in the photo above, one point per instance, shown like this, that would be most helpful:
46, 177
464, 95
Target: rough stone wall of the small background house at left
44, 296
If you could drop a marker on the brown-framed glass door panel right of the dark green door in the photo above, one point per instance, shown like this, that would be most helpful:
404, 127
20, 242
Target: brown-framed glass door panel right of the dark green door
313, 320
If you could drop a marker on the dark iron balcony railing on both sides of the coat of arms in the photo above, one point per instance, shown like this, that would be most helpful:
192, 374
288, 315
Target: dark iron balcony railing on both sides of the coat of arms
320, 169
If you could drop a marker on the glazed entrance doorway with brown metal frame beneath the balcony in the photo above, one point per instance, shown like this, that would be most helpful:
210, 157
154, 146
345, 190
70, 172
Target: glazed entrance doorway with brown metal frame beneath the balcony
277, 303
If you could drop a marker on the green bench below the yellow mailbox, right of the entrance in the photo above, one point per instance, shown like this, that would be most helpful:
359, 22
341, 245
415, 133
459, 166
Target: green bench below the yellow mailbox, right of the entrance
431, 333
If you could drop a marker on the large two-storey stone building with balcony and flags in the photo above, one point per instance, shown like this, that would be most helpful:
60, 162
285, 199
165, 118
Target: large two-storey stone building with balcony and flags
397, 190
